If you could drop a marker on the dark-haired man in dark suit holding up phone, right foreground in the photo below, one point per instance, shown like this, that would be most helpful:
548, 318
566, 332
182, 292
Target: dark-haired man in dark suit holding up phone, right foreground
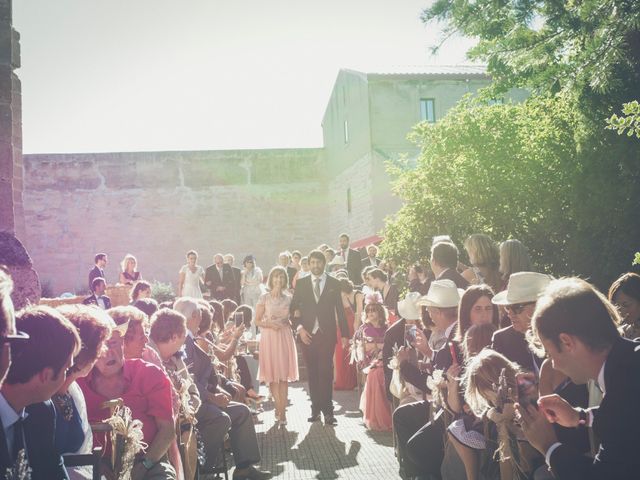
578, 329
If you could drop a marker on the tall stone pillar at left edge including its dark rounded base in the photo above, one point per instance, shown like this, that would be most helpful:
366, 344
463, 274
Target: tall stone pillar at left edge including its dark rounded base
26, 285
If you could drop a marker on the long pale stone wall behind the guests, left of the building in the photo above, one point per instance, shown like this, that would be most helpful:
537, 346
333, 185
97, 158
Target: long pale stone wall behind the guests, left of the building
158, 205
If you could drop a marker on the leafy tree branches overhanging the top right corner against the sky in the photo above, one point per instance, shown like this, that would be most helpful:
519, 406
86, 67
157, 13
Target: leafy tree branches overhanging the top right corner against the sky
548, 45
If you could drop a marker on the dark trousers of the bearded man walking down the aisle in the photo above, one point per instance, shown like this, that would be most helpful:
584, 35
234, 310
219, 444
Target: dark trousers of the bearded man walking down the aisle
318, 358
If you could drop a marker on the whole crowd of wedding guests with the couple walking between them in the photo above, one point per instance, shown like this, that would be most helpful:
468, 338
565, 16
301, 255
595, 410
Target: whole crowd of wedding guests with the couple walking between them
484, 371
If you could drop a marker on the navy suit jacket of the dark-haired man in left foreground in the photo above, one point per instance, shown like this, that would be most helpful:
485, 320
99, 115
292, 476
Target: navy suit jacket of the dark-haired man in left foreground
39, 433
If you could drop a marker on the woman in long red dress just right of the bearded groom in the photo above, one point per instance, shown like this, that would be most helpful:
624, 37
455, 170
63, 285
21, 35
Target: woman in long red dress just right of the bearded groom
345, 377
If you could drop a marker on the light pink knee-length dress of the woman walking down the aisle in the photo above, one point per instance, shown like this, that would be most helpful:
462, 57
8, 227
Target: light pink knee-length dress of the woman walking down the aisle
278, 354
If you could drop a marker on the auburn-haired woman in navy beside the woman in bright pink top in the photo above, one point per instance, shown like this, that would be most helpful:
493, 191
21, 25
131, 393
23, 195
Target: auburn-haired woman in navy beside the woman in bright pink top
73, 432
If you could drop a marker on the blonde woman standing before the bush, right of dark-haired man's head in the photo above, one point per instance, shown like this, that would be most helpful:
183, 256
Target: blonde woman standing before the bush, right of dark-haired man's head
484, 256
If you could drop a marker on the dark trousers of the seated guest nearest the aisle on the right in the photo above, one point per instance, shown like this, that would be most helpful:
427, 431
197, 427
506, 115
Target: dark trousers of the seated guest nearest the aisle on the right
407, 421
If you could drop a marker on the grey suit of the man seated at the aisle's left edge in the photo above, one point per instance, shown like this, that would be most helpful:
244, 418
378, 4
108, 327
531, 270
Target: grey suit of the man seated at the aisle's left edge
214, 422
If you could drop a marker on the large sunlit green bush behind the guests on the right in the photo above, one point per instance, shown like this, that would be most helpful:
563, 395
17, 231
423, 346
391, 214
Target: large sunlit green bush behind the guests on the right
519, 171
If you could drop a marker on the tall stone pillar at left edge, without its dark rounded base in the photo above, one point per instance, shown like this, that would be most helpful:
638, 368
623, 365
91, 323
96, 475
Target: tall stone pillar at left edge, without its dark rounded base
11, 210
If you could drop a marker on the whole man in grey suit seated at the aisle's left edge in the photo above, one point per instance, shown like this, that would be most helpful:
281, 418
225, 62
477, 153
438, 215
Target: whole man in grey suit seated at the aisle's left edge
218, 415
